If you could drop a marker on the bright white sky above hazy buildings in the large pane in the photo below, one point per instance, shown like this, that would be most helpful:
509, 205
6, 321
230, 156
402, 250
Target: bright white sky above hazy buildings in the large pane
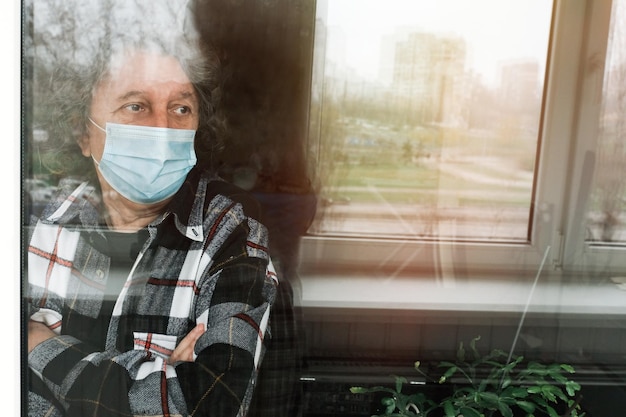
496, 30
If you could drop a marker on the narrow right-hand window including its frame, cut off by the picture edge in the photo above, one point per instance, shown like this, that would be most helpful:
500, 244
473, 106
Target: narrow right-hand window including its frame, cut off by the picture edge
594, 217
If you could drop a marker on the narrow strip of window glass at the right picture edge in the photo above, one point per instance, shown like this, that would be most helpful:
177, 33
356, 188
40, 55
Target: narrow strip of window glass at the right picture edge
606, 217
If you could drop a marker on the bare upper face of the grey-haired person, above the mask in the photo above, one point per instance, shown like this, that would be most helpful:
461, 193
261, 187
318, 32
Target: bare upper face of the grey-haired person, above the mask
141, 89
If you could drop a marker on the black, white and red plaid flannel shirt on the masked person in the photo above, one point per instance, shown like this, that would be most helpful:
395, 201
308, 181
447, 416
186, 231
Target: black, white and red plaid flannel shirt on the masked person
205, 261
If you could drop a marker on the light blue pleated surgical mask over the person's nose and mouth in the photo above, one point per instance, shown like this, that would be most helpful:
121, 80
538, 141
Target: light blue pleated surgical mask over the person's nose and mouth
146, 164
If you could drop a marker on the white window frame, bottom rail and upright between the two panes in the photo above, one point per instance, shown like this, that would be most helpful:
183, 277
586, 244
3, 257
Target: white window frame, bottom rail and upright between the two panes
577, 50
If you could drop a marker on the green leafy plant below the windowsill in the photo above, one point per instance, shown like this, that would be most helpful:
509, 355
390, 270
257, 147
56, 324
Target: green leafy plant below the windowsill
487, 386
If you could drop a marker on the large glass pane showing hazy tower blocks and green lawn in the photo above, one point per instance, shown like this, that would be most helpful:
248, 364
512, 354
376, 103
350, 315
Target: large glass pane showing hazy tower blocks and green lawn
425, 117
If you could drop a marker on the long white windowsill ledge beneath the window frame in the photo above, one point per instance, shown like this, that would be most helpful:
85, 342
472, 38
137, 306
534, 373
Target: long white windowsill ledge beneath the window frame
551, 296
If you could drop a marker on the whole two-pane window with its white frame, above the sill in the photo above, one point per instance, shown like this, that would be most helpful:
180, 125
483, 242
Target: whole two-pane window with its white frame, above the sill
461, 141
